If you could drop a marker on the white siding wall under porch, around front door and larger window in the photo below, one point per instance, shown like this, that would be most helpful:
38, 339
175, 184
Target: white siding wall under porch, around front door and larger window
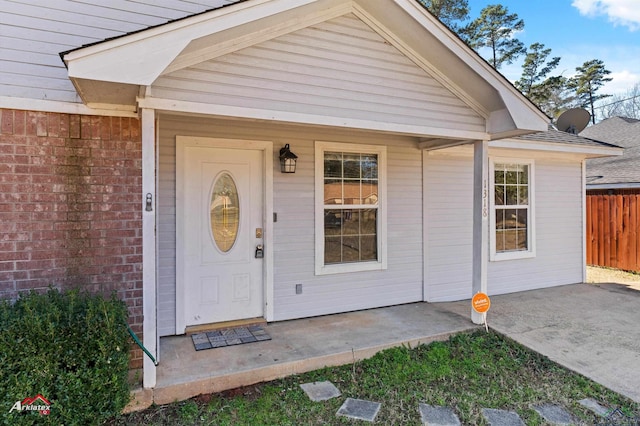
293, 233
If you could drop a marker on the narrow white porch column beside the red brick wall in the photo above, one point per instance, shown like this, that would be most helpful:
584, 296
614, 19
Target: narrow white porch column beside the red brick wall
149, 327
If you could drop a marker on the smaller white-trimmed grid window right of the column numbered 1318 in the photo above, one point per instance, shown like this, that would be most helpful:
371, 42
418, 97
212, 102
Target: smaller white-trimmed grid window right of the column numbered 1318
512, 233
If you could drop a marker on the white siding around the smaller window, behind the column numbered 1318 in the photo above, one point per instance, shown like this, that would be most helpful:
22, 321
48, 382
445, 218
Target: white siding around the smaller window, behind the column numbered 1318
448, 234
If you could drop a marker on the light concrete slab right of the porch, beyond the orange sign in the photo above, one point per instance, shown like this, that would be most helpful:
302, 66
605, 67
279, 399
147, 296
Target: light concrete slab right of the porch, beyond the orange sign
591, 329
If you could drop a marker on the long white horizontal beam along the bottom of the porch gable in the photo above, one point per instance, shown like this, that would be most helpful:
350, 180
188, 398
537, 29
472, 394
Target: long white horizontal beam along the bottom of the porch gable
302, 118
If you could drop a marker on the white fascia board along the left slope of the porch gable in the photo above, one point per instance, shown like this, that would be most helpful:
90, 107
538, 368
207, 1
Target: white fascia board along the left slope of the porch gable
146, 54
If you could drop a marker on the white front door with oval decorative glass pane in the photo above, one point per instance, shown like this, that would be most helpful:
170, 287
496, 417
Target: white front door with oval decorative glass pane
222, 221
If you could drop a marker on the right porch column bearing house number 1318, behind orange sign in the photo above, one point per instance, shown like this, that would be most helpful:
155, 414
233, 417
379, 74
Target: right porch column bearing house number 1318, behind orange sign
480, 221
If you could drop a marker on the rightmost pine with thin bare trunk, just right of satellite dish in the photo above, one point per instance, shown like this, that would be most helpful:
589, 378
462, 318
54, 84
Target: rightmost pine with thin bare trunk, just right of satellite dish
592, 75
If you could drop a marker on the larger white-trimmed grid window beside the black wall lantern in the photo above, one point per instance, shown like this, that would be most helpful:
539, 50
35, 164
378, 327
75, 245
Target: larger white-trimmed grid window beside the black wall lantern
350, 207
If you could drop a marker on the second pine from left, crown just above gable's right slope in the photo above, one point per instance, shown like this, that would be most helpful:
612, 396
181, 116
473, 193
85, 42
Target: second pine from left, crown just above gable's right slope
496, 29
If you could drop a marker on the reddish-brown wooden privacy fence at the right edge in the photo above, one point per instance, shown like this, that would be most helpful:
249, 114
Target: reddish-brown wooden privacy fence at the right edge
613, 231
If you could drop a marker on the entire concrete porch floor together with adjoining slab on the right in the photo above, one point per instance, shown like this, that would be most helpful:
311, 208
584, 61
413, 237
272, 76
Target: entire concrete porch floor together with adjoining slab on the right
591, 329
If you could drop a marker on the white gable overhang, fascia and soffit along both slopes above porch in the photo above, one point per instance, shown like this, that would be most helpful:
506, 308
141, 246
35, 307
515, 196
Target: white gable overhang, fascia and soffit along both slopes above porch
97, 70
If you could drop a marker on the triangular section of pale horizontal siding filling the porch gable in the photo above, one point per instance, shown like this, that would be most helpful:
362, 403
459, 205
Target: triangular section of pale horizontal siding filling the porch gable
336, 69
